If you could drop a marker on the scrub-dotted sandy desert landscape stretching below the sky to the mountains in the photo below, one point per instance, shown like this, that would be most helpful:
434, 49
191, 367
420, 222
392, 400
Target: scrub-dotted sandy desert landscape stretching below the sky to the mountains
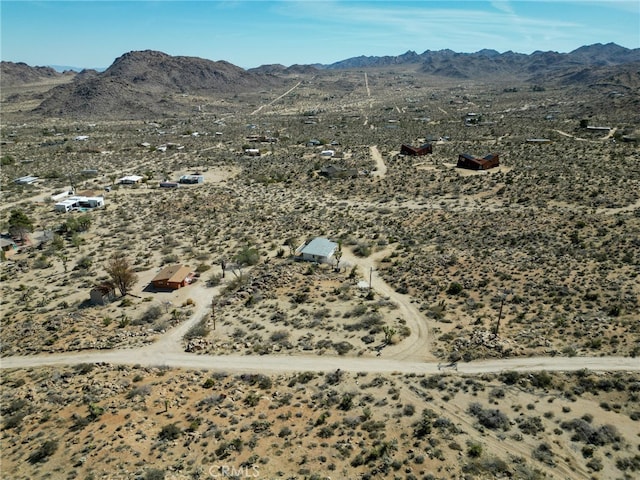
468, 323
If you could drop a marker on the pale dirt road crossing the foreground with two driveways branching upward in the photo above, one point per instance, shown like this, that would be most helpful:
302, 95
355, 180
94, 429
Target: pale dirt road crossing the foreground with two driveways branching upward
409, 356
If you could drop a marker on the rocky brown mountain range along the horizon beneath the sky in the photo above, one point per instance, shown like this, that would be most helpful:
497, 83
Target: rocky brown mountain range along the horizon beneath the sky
141, 83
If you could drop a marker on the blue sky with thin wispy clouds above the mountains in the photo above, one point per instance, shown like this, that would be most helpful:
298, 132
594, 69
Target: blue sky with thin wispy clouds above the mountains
92, 33
